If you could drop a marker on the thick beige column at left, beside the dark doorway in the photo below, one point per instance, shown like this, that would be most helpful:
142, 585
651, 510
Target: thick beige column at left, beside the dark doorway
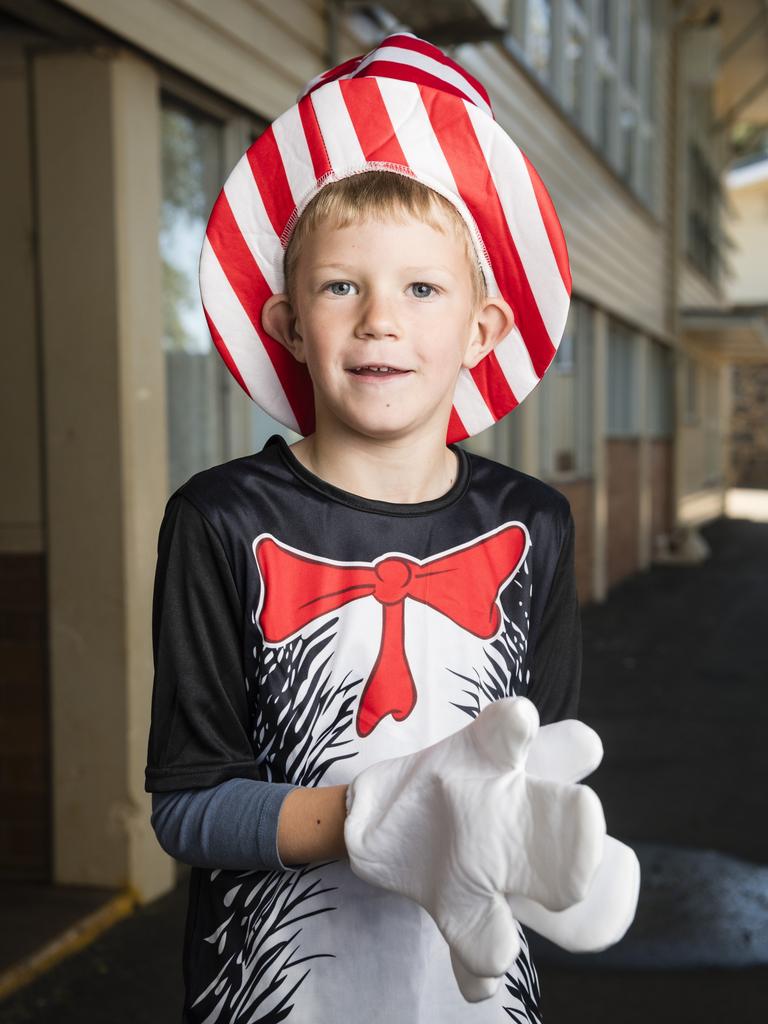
99, 169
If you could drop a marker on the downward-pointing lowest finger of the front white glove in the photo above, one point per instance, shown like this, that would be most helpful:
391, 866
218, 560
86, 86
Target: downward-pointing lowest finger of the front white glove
489, 944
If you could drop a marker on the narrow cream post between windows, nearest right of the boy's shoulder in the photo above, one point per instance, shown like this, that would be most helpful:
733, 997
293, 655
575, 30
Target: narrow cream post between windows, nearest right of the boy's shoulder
600, 426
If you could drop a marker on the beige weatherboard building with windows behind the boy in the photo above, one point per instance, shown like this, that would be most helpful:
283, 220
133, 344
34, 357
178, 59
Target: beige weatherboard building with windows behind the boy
121, 123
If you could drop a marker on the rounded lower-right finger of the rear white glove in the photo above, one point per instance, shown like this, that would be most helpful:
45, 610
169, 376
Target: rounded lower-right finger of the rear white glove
603, 918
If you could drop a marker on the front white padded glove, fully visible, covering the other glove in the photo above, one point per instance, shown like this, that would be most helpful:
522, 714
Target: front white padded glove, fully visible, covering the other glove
459, 825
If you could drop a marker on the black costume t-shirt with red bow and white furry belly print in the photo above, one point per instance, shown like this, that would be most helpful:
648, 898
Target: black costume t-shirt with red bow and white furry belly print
303, 633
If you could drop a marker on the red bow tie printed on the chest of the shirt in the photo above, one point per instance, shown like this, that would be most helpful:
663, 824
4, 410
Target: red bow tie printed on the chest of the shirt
463, 585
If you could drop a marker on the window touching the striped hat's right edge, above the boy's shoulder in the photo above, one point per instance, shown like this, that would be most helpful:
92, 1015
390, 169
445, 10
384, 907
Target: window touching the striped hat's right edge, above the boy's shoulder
566, 400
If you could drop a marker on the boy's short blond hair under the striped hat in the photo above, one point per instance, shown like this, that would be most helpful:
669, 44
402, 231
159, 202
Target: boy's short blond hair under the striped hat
380, 195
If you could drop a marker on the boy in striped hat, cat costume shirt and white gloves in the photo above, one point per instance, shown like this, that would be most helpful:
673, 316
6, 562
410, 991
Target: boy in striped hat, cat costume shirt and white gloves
331, 615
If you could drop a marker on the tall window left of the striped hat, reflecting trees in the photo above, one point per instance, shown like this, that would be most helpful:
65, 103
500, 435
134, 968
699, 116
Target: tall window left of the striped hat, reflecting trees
196, 376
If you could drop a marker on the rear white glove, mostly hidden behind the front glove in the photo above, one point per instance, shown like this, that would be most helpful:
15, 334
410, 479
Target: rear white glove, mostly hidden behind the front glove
568, 752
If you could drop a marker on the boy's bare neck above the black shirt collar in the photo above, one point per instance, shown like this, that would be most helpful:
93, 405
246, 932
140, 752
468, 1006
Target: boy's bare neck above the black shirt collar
403, 473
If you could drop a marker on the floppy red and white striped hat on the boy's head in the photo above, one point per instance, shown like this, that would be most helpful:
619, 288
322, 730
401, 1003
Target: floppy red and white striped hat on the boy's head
409, 109
